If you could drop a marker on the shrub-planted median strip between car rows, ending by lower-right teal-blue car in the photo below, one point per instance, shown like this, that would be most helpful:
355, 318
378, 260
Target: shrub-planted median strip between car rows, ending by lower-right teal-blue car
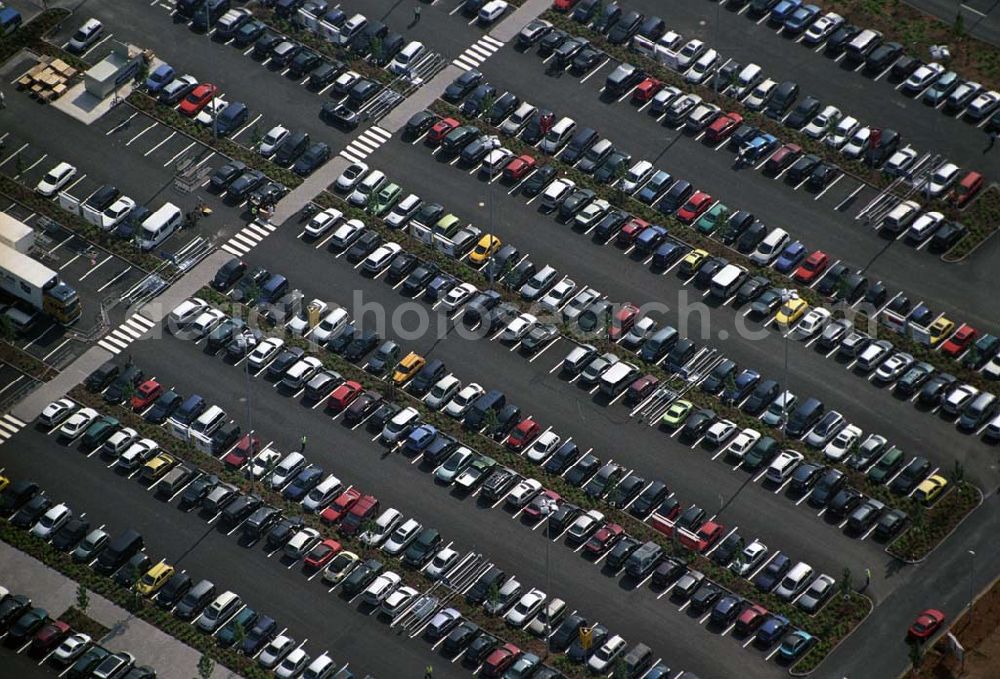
828, 625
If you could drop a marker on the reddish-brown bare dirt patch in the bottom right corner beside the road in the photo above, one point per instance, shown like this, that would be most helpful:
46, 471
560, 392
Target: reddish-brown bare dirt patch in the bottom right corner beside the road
979, 634
